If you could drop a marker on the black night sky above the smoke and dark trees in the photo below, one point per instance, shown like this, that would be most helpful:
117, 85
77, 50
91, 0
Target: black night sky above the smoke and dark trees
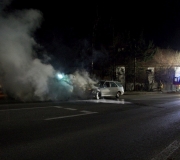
67, 23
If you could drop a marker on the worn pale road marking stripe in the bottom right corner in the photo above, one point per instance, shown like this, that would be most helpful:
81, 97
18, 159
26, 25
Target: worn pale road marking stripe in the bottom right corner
168, 151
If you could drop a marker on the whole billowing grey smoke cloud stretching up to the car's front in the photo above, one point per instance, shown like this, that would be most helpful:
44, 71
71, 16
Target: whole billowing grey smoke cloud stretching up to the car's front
22, 74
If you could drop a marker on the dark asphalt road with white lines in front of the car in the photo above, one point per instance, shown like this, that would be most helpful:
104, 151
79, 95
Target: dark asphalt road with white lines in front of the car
135, 127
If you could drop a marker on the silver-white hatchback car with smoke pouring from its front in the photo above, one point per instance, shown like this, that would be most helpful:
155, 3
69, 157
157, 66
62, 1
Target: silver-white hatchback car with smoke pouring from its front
107, 89
